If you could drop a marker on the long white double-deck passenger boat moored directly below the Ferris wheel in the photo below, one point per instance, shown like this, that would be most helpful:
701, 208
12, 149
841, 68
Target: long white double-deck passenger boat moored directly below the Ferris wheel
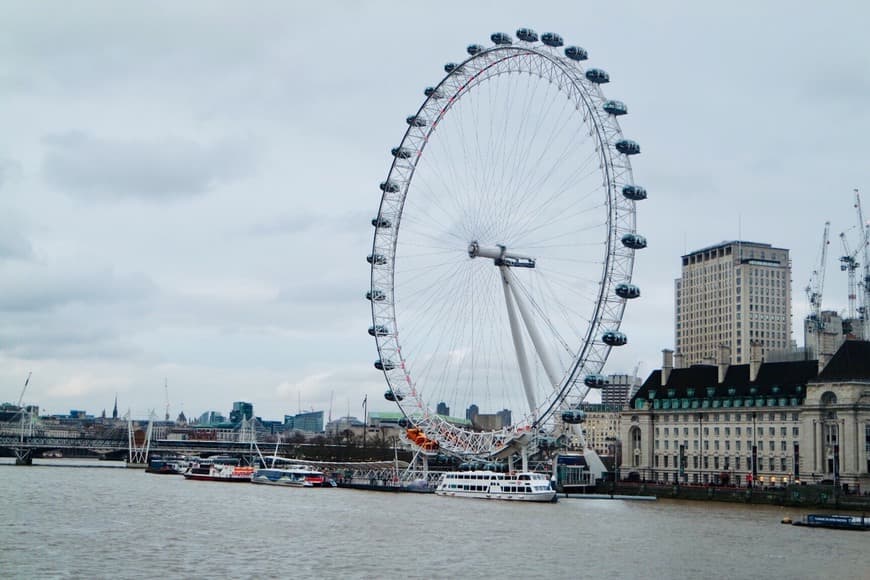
524, 486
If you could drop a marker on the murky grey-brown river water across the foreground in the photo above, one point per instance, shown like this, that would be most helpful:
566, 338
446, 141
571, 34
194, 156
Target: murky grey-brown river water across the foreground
64, 522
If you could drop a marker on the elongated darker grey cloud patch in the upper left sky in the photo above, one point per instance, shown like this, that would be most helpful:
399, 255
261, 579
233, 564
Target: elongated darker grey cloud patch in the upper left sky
94, 168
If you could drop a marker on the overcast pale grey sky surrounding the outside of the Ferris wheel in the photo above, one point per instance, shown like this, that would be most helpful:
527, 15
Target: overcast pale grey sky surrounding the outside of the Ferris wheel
186, 187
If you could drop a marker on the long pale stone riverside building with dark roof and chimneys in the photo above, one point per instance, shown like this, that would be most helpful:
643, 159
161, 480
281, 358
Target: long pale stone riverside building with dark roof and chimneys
752, 424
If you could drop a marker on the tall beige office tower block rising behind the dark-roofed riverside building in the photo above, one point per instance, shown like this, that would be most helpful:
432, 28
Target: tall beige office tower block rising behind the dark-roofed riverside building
732, 294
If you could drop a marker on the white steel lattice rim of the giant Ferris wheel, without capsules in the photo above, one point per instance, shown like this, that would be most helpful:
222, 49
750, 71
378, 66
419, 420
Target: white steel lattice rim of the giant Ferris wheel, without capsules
606, 307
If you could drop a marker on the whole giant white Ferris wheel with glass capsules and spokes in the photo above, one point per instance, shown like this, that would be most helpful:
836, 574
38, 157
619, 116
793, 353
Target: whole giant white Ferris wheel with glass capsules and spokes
504, 245
